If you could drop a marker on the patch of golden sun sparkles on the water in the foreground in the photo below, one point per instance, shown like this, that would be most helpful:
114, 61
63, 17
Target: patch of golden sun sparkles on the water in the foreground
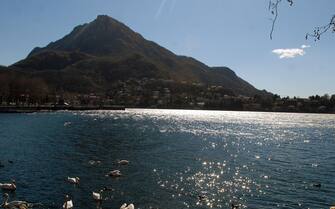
220, 184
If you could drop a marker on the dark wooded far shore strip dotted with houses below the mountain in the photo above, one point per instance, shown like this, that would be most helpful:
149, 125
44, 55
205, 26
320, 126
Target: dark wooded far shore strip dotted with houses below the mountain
159, 93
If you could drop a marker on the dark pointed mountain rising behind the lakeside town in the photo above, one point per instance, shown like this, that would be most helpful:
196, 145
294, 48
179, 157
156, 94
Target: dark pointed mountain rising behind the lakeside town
96, 55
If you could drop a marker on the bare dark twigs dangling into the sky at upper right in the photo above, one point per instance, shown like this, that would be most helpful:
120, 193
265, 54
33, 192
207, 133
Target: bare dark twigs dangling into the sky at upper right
317, 32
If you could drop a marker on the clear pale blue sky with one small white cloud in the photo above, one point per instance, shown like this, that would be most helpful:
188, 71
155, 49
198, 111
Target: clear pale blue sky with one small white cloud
216, 32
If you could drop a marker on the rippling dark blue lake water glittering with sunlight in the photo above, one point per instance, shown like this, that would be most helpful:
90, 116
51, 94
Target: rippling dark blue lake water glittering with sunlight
257, 160
